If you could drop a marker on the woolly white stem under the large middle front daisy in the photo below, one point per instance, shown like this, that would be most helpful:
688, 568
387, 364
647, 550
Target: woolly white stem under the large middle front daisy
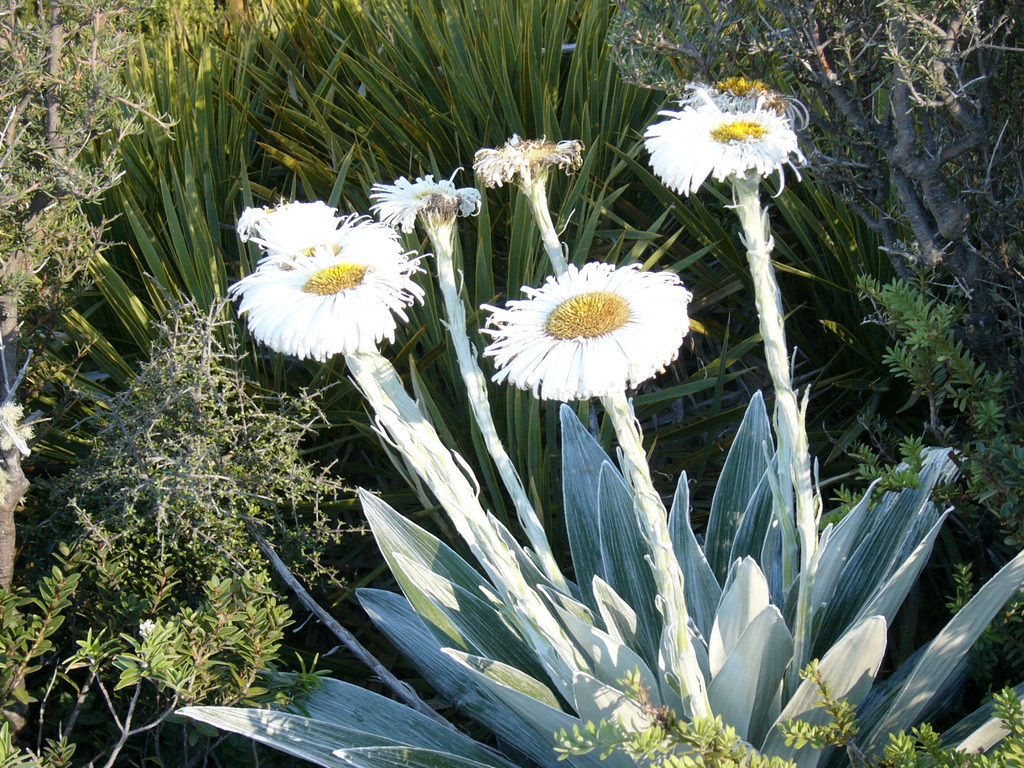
676, 642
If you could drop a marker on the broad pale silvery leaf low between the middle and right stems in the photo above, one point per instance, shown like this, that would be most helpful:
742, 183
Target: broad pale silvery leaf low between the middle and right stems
746, 692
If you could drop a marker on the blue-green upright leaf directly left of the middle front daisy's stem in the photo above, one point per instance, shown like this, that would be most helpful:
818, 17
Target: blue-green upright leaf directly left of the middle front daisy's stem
627, 559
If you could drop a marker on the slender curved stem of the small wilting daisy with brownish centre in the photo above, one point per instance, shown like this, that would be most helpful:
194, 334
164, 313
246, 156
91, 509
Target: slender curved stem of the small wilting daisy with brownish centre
442, 235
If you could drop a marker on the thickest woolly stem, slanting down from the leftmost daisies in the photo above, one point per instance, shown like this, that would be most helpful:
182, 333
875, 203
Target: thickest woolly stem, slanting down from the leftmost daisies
400, 421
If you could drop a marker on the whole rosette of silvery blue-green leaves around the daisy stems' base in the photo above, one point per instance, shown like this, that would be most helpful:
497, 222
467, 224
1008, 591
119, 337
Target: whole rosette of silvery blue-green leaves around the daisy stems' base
462, 631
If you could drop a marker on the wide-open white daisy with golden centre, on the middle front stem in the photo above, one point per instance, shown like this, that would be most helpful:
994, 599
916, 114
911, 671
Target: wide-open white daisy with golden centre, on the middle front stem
590, 332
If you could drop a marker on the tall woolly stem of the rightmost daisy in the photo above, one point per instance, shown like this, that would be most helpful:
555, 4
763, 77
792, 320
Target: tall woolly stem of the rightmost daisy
794, 460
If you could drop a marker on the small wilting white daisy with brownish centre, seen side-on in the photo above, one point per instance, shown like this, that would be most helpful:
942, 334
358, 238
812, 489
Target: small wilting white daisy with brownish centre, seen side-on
401, 203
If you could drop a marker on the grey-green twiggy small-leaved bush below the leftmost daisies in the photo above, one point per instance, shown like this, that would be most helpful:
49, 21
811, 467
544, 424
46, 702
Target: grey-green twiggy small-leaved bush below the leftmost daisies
192, 454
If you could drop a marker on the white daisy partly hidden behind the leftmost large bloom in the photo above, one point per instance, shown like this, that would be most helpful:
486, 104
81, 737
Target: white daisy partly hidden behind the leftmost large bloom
291, 230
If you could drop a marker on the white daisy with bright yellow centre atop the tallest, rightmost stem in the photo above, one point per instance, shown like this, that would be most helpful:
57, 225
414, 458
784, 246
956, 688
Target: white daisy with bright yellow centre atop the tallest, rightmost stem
702, 142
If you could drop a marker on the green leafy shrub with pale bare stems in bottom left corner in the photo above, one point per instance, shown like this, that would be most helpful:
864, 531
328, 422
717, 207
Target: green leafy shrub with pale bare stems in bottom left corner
103, 667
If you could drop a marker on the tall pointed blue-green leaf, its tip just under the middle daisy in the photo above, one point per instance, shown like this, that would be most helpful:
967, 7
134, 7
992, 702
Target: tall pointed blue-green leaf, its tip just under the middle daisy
582, 460
